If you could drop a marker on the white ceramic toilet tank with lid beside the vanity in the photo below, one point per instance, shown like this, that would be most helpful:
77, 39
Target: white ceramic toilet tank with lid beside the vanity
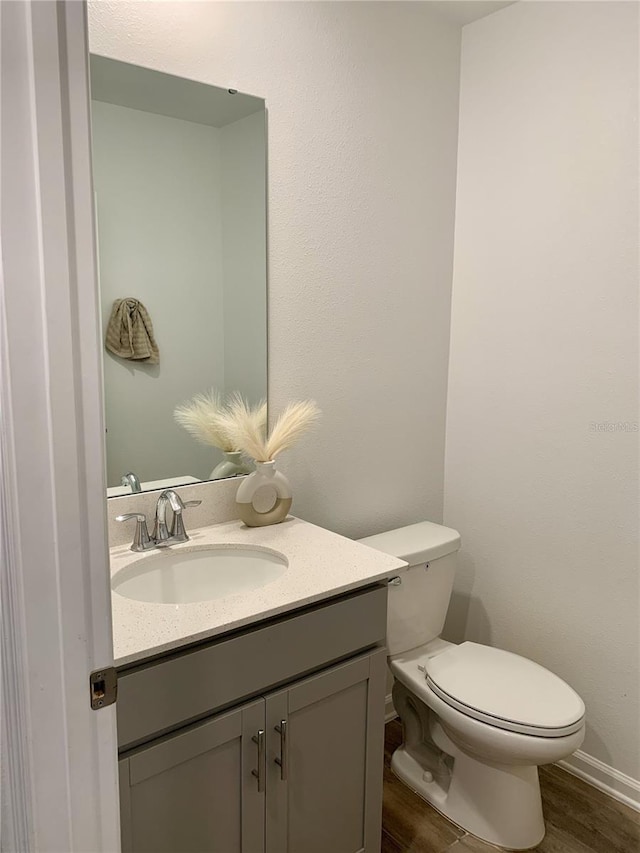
418, 604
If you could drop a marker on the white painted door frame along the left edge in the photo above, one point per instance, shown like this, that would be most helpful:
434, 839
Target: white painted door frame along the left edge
59, 770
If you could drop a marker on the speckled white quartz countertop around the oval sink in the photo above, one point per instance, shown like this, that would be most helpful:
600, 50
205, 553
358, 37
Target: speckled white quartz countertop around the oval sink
322, 564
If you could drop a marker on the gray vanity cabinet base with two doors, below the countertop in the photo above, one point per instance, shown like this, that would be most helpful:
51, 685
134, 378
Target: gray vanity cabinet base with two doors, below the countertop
294, 767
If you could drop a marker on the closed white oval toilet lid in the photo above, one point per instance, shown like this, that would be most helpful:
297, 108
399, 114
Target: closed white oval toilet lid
505, 690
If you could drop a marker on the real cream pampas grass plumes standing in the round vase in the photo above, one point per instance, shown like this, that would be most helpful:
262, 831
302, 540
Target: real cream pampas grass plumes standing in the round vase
250, 436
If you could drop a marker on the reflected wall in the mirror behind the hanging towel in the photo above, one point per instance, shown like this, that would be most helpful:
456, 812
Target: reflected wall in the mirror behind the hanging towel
158, 188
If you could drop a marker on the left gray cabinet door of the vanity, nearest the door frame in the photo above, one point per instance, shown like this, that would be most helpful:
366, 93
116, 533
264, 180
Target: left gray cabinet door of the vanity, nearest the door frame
195, 791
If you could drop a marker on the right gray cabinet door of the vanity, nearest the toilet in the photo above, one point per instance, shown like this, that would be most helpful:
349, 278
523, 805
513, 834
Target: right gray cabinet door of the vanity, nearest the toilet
325, 739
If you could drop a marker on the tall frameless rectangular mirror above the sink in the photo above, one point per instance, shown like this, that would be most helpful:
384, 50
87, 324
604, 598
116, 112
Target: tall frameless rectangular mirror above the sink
180, 193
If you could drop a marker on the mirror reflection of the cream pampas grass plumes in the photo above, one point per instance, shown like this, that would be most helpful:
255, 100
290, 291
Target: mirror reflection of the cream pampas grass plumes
208, 419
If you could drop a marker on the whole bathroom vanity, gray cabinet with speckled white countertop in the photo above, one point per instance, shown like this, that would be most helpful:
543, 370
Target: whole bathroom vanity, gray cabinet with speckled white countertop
257, 733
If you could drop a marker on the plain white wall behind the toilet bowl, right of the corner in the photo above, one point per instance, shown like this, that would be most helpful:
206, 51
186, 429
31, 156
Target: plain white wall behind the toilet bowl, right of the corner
544, 345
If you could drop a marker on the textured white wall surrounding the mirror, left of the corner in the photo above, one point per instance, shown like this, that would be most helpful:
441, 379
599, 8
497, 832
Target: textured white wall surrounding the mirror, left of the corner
363, 109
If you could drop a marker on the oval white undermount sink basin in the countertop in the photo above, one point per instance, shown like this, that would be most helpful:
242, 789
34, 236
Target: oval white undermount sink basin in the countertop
203, 574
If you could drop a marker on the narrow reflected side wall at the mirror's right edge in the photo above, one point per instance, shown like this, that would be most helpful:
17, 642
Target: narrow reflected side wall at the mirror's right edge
244, 254
